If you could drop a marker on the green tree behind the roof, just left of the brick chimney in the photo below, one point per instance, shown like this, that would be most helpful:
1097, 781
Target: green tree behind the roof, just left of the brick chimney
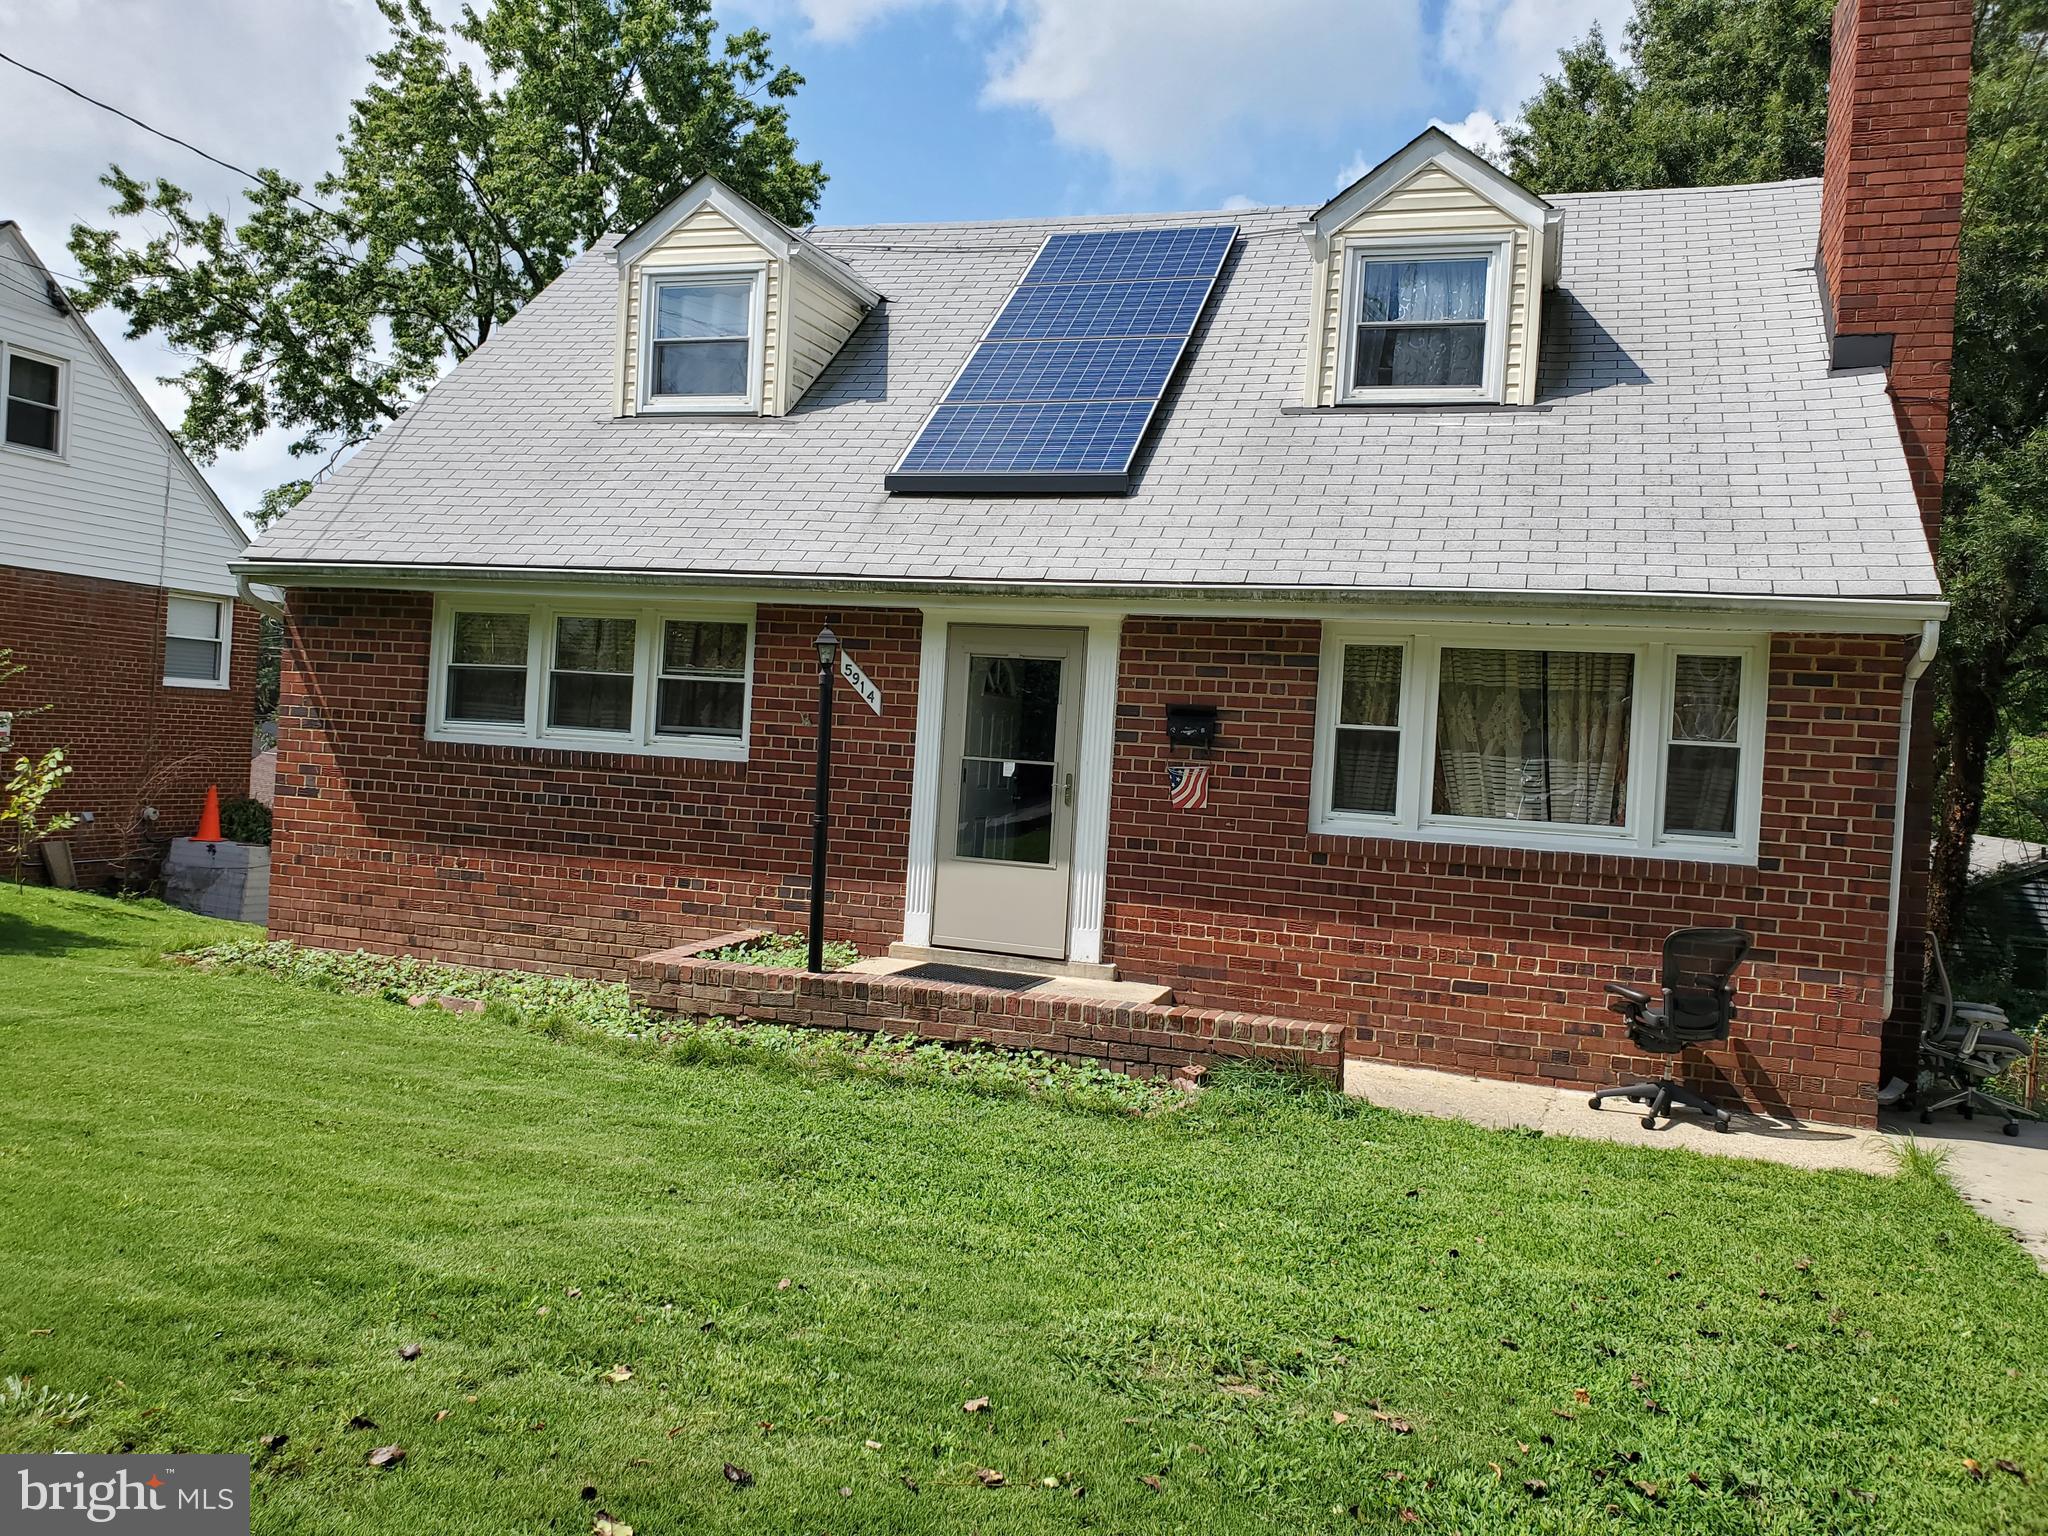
1711, 93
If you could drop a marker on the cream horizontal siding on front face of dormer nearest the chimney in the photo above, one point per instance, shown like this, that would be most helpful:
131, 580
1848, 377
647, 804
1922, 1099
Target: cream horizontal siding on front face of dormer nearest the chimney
1428, 206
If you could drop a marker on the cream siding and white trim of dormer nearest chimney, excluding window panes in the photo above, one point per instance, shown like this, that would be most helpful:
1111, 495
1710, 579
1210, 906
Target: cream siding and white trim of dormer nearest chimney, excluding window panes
1433, 202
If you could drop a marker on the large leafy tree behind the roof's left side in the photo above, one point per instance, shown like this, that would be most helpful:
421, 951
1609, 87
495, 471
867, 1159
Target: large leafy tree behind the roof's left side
456, 202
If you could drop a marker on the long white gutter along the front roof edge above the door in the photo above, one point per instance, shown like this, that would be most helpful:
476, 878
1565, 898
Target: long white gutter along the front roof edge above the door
1838, 615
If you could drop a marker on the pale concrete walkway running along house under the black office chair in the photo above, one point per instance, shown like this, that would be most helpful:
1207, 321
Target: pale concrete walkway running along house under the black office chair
2002, 1177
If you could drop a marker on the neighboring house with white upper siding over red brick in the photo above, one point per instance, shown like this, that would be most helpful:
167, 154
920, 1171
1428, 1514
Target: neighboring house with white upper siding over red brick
116, 589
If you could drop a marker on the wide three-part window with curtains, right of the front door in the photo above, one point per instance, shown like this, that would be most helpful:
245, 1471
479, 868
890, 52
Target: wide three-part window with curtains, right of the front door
1465, 736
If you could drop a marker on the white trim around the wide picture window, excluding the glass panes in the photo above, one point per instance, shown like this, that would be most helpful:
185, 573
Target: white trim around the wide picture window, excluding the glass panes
1650, 736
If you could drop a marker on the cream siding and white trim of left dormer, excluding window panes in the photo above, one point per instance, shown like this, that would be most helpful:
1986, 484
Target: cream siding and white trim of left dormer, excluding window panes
804, 304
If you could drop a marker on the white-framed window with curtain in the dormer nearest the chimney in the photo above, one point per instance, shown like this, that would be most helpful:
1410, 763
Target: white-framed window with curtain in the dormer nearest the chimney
1422, 325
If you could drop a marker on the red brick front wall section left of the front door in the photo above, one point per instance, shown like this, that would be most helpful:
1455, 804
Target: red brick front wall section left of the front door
572, 859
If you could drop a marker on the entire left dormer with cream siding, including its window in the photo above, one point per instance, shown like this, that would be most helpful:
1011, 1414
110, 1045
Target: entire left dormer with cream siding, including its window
724, 310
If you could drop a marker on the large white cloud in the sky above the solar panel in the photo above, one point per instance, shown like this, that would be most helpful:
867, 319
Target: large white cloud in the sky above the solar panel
1170, 87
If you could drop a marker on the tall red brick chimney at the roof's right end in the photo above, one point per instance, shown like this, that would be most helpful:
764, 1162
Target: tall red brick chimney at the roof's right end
1891, 210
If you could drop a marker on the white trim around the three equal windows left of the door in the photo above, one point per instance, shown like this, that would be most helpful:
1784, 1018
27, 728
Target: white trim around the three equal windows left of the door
642, 740
